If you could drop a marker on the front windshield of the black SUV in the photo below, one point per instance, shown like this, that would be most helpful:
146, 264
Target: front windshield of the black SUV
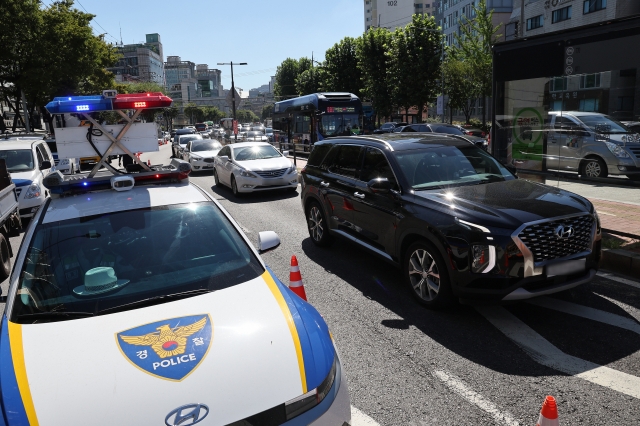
445, 166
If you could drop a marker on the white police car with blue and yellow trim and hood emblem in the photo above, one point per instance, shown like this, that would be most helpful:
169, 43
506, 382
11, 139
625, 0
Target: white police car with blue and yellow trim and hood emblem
138, 300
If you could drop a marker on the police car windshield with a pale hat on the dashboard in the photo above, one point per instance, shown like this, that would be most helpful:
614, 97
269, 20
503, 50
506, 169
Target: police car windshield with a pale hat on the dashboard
98, 264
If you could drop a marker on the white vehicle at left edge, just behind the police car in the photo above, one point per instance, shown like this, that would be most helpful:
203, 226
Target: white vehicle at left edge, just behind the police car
28, 160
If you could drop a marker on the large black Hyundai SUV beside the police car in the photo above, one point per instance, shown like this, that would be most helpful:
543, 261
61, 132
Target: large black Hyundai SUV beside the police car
456, 221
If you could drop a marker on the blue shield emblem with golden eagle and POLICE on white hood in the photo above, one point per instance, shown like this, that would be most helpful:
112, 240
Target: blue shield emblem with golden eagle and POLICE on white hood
169, 349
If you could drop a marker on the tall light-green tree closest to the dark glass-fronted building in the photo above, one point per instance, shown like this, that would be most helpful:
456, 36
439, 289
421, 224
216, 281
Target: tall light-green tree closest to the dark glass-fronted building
474, 47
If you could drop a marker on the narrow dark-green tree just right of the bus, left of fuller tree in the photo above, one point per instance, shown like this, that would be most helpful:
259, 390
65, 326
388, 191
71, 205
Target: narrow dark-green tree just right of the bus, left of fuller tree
375, 64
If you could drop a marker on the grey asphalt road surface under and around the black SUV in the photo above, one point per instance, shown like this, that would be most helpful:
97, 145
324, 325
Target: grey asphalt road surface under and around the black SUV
466, 365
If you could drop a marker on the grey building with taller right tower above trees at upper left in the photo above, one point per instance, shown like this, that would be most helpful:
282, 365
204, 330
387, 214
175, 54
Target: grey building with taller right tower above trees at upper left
141, 61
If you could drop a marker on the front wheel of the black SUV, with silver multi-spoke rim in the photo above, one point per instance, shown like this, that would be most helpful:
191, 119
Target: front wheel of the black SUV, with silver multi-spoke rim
426, 273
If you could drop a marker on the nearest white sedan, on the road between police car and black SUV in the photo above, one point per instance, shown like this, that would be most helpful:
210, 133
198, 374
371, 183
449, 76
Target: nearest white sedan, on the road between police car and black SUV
254, 166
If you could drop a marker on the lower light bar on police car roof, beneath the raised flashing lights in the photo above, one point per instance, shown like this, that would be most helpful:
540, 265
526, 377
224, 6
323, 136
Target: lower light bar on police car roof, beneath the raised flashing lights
59, 184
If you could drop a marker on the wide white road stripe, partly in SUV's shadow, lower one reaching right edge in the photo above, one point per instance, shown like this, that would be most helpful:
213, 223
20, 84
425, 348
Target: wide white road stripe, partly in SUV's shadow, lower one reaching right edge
543, 352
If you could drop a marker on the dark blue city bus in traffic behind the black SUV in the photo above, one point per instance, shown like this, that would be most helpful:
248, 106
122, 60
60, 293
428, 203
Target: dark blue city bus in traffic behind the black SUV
311, 118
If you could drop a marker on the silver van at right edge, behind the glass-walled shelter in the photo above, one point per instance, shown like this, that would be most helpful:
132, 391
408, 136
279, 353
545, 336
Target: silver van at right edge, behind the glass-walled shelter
592, 143
